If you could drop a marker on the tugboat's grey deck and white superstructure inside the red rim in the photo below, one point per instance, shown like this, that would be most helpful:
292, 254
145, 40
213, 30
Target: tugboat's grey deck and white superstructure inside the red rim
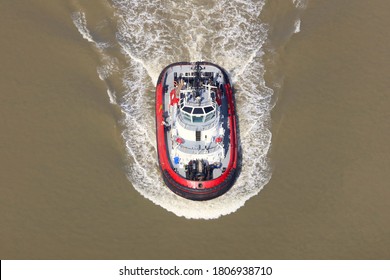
196, 119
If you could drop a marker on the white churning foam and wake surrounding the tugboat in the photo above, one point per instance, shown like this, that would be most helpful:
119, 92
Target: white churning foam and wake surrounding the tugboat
152, 34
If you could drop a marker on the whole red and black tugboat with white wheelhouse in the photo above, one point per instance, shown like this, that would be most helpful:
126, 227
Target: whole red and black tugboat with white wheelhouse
196, 129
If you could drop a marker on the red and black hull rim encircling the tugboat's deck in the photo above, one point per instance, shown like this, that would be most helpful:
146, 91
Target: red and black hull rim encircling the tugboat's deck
195, 190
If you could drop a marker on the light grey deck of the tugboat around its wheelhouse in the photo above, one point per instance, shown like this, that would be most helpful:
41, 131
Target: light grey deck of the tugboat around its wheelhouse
196, 149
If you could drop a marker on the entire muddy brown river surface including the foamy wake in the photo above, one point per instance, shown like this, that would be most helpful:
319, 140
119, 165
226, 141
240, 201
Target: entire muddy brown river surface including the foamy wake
78, 168
